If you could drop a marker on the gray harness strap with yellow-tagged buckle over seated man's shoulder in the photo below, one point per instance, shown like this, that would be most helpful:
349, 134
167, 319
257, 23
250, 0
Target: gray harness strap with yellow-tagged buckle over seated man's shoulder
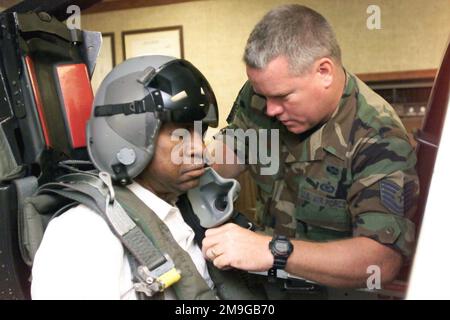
156, 271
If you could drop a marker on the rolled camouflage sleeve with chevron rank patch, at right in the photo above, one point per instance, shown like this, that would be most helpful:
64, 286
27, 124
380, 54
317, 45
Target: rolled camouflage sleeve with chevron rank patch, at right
384, 193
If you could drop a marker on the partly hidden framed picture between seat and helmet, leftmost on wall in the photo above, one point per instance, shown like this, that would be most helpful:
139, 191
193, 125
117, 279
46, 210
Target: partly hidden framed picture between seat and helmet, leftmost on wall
105, 61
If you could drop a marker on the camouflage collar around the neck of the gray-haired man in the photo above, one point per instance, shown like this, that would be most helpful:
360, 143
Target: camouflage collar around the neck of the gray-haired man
331, 137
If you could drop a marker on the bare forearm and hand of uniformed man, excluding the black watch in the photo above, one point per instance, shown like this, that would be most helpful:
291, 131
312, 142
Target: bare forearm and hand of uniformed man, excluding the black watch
341, 263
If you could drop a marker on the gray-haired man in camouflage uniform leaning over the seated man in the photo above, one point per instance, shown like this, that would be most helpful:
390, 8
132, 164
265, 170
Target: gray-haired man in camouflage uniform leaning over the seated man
346, 184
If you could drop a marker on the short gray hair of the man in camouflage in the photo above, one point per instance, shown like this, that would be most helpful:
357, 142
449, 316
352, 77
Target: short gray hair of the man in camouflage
297, 32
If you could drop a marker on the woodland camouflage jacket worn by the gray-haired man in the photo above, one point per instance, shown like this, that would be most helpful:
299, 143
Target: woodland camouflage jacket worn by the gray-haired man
353, 176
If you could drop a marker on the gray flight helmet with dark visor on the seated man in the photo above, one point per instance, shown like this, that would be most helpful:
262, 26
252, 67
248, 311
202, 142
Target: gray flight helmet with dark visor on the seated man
132, 103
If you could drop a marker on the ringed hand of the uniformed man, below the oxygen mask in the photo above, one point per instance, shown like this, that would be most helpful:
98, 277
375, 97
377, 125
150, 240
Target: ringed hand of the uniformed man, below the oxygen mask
230, 246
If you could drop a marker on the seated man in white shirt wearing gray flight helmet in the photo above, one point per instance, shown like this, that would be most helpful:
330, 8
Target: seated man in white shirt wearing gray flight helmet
137, 107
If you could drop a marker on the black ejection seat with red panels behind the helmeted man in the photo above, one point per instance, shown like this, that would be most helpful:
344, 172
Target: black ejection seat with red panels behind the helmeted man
45, 102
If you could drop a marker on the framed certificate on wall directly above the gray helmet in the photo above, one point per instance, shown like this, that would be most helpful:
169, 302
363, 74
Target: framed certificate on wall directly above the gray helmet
165, 41
